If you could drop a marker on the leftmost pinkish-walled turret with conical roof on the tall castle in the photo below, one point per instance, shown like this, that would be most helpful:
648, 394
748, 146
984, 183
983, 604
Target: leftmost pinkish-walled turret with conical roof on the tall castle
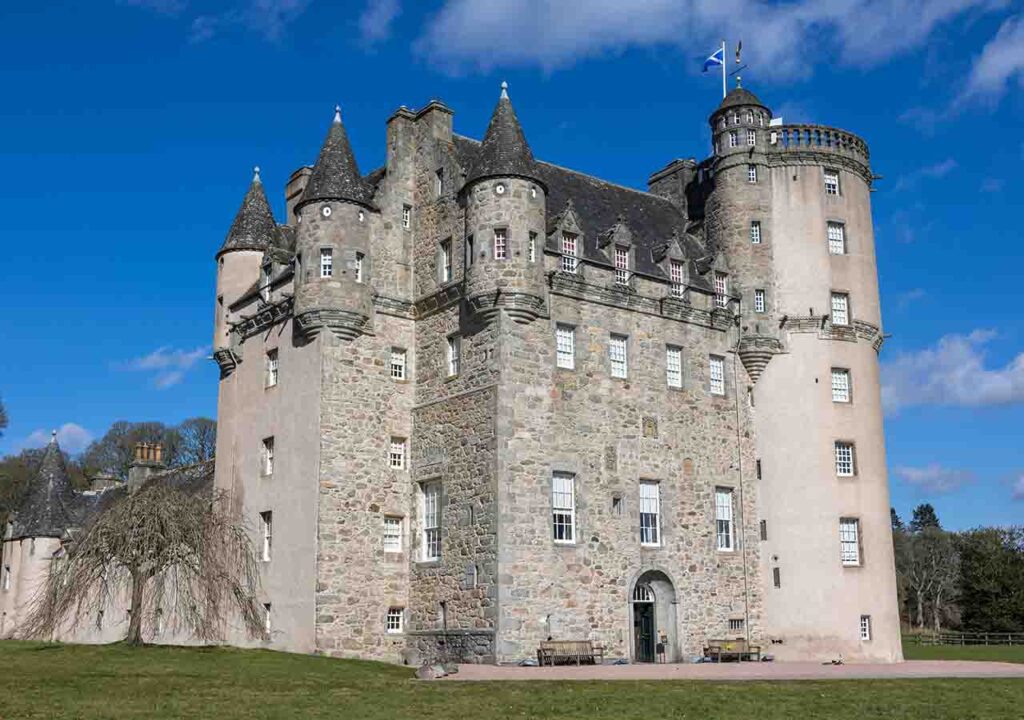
239, 263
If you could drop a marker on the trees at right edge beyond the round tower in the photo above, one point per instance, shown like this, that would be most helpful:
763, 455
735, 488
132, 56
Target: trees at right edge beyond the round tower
971, 581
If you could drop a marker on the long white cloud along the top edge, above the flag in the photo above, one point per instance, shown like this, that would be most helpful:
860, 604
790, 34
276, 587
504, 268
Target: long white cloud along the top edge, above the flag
782, 37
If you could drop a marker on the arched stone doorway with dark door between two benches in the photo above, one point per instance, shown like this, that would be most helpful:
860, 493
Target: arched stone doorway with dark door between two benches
653, 615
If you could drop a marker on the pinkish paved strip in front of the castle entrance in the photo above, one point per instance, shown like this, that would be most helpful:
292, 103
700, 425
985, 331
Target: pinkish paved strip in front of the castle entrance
747, 671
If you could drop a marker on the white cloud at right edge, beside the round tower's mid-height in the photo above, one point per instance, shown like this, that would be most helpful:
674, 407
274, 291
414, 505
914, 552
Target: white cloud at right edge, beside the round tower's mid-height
952, 373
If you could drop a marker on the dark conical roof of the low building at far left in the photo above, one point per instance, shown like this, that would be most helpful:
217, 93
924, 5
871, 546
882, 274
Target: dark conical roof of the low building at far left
49, 510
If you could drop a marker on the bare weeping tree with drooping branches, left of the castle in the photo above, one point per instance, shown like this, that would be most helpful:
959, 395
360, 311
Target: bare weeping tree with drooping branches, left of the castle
181, 557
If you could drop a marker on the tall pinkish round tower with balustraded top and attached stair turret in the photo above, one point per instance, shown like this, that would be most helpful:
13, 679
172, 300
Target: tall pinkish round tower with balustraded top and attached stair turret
791, 207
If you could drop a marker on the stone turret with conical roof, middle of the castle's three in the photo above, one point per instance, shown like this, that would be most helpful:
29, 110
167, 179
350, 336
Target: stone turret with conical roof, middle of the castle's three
333, 263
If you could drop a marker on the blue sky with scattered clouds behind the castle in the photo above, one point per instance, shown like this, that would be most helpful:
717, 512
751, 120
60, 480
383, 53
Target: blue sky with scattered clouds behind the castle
129, 131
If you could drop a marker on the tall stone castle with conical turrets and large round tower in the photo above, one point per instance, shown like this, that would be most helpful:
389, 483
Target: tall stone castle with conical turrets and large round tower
473, 401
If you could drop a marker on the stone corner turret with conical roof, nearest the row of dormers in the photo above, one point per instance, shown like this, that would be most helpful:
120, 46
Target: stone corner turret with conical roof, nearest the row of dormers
505, 223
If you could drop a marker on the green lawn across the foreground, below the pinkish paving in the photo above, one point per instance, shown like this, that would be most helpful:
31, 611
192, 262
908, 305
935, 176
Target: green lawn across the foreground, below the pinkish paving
79, 682
